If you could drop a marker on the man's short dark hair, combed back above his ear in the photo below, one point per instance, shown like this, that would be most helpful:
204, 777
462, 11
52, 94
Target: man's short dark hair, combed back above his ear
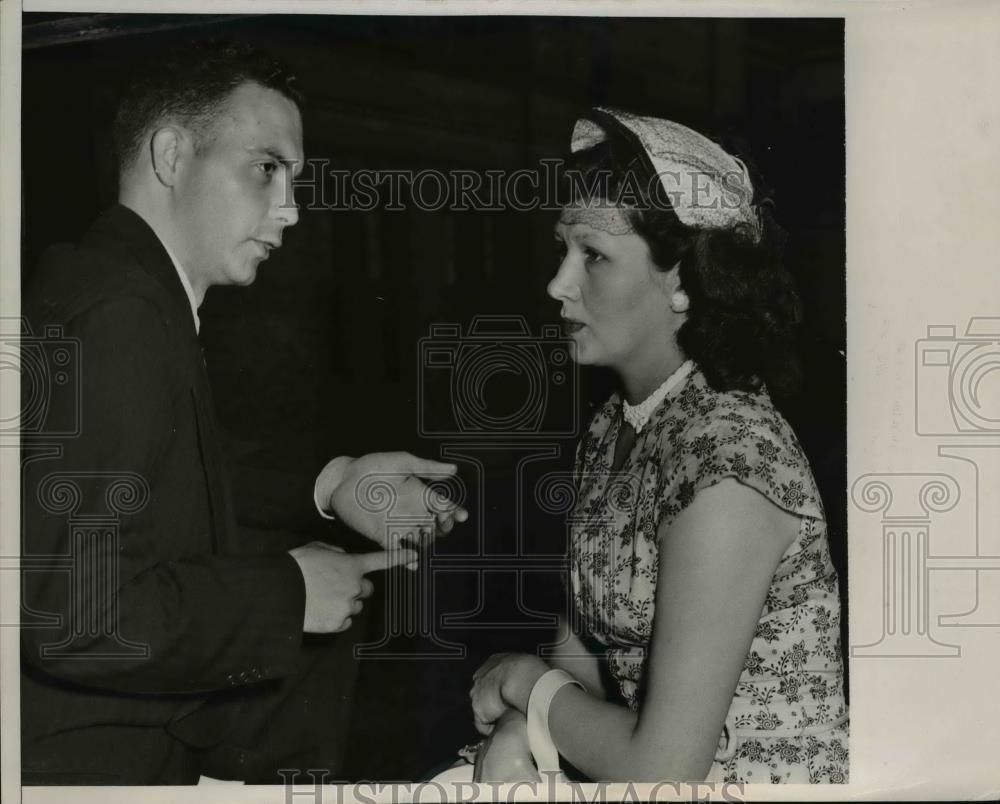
190, 85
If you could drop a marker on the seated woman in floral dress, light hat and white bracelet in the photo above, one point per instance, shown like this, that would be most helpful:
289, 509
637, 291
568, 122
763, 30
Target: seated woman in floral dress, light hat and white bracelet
704, 636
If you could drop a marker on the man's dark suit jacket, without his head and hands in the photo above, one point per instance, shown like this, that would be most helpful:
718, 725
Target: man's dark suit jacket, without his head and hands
141, 599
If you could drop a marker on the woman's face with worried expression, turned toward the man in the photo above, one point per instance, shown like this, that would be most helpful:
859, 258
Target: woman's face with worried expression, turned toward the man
615, 301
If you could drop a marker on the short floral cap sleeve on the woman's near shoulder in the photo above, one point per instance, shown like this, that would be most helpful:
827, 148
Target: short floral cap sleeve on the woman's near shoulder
754, 446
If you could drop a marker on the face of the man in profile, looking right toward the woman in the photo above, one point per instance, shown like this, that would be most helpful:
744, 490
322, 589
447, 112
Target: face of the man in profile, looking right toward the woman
235, 195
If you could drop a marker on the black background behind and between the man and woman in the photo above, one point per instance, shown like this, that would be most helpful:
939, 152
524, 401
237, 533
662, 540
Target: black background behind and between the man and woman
321, 355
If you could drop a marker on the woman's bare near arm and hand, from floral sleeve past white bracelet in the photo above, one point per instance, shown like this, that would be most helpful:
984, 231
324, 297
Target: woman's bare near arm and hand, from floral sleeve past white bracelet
717, 559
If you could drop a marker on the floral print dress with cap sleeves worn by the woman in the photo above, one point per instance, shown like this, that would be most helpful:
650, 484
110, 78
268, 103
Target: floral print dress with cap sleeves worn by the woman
788, 719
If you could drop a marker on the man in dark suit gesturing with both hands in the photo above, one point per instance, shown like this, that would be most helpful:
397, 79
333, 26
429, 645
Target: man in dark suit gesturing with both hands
155, 632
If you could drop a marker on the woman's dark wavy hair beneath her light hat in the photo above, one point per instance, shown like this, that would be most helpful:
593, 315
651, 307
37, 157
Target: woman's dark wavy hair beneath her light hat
744, 311
